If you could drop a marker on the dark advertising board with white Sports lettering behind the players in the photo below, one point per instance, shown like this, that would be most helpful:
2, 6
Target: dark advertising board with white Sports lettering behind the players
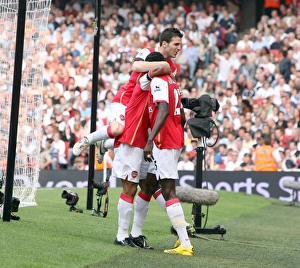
267, 184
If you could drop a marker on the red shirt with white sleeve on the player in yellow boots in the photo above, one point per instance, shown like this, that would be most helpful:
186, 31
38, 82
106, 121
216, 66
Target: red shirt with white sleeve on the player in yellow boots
165, 89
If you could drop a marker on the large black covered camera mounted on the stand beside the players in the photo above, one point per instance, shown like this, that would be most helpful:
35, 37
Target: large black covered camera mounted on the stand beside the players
202, 124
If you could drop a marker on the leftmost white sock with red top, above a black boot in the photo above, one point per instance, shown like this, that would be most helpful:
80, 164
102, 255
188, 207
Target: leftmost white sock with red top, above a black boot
125, 212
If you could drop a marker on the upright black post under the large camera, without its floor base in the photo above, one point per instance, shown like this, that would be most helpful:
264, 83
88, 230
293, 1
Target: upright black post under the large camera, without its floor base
197, 212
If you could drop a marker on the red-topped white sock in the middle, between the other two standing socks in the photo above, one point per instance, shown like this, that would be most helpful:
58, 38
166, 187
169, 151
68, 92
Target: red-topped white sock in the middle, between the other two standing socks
141, 206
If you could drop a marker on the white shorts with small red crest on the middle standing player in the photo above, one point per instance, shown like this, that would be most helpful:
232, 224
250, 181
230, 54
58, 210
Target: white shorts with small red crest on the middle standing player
129, 163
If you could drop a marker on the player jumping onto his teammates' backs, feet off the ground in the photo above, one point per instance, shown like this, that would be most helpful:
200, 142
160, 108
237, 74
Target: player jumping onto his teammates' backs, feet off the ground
102, 138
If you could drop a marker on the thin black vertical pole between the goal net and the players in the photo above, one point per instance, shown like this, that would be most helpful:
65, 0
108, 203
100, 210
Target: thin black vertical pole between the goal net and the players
91, 171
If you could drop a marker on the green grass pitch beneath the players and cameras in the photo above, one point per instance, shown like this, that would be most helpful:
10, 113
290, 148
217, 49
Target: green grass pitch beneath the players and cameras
260, 233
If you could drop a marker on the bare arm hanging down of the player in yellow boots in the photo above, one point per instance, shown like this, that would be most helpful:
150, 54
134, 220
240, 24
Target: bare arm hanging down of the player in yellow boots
163, 112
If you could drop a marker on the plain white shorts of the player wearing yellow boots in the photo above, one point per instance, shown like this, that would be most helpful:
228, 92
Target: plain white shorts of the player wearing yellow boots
166, 162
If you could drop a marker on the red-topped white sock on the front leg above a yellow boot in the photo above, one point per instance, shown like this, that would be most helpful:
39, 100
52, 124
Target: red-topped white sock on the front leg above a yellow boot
176, 216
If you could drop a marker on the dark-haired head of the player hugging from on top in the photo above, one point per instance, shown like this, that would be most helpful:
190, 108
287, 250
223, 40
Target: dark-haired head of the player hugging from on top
170, 41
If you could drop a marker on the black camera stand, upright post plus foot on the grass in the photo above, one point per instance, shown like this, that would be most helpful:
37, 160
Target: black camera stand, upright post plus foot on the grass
196, 209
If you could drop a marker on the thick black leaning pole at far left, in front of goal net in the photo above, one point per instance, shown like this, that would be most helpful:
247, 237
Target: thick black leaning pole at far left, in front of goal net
14, 114
